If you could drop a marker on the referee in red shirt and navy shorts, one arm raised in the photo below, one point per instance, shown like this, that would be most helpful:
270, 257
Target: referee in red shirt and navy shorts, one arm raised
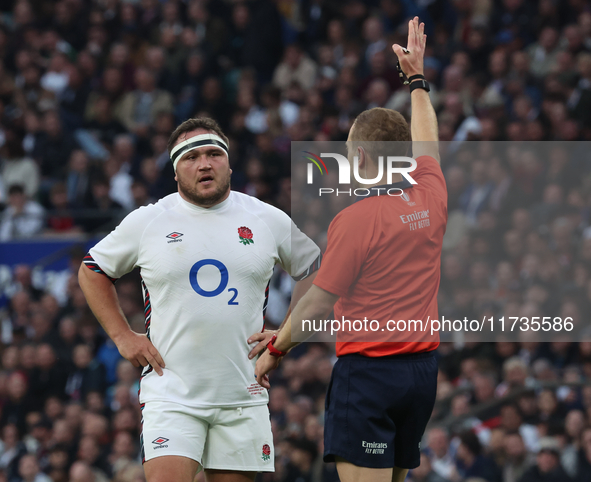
382, 392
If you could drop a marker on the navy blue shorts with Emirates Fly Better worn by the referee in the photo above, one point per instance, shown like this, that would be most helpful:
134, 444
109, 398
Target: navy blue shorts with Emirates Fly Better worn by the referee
377, 409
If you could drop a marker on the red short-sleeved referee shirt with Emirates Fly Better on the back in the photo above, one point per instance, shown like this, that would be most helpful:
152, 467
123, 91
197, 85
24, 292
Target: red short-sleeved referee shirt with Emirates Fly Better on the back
383, 260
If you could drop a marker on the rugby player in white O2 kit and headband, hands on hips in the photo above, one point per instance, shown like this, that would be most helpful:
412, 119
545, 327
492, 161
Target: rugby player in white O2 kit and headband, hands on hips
206, 255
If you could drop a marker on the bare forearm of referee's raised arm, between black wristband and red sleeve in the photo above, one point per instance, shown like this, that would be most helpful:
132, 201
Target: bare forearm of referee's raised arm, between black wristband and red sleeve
423, 125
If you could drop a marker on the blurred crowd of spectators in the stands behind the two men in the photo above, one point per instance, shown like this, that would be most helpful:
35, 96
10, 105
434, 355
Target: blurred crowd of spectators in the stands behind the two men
89, 94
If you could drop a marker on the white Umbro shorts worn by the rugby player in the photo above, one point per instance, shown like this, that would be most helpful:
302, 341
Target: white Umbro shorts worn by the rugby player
218, 438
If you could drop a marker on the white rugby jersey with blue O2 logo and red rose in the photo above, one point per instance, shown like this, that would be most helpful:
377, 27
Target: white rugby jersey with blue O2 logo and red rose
205, 275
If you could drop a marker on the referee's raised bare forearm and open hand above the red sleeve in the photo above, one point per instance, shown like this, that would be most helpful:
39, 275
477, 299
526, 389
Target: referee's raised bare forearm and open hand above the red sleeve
423, 124
